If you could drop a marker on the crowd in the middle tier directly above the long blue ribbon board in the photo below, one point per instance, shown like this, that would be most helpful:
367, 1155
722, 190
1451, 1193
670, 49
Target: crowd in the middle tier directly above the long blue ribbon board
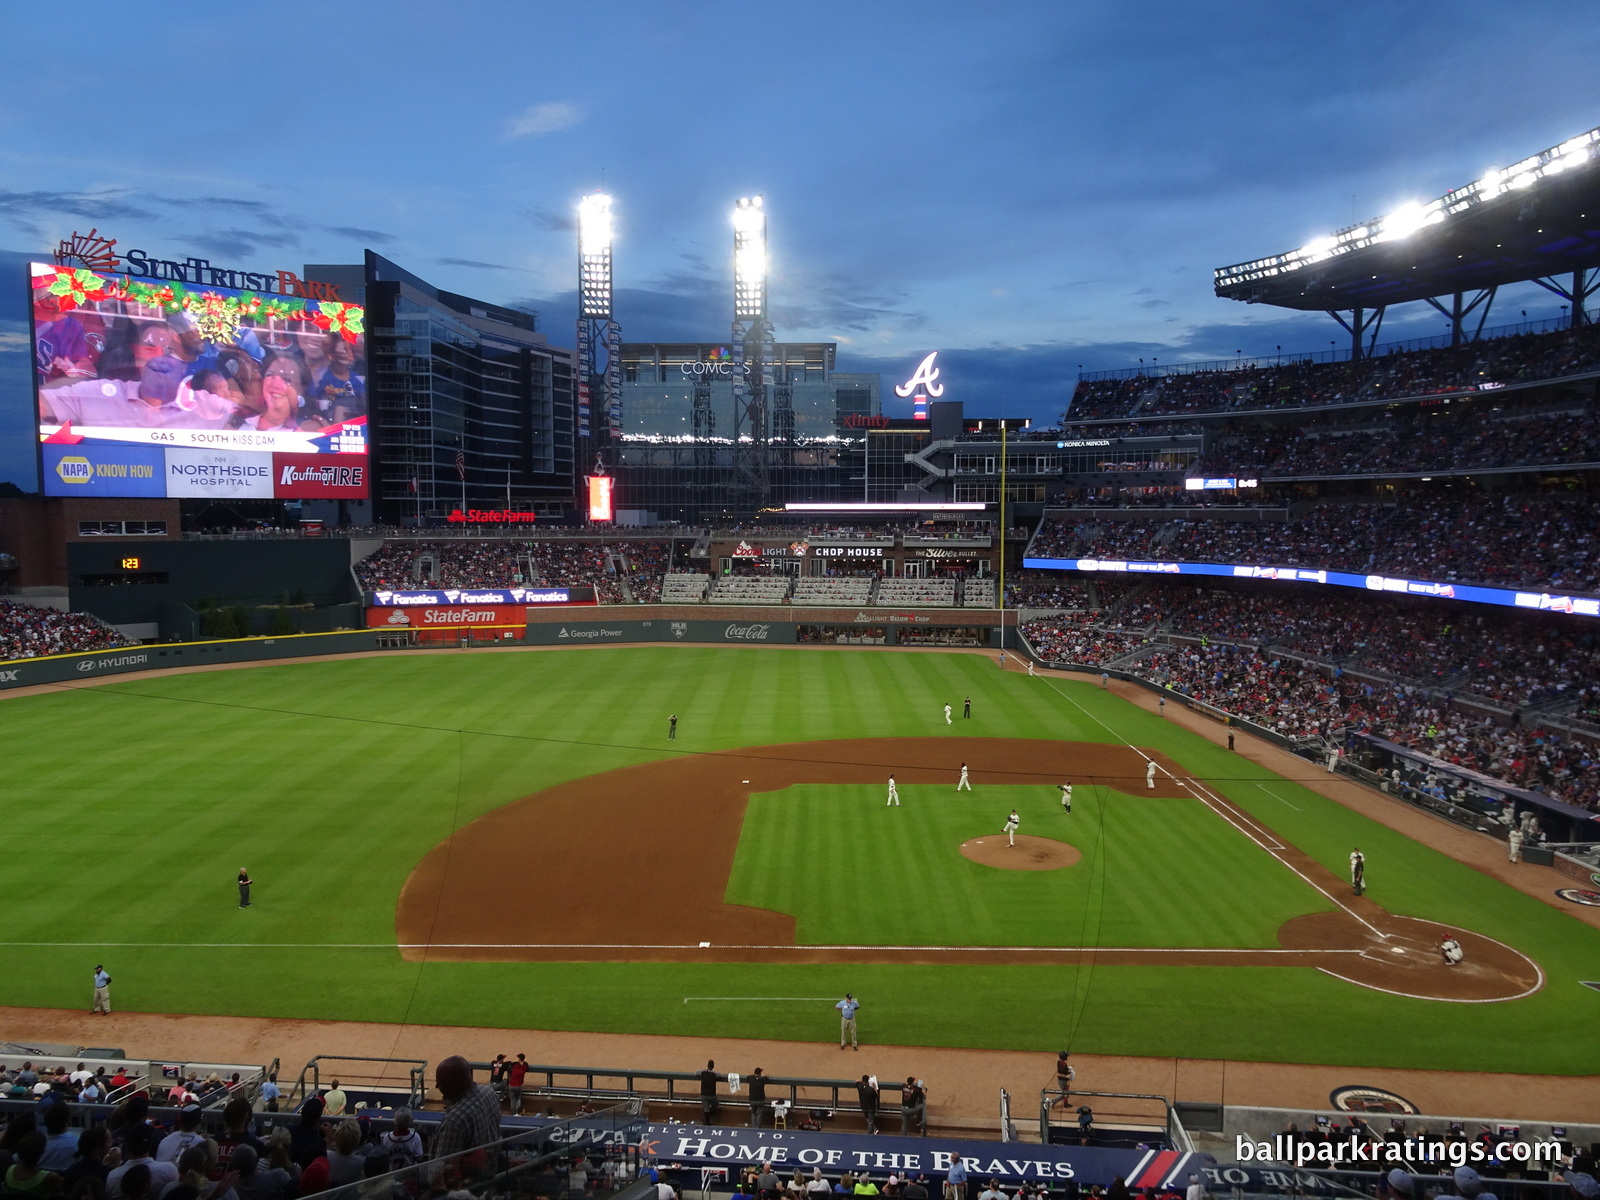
1545, 543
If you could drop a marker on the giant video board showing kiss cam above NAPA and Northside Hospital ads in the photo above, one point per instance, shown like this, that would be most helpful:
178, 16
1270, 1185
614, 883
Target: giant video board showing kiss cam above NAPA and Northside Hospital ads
170, 390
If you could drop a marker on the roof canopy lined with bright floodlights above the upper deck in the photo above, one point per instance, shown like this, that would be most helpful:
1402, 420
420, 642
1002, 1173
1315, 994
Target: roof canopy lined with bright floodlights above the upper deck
1534, 220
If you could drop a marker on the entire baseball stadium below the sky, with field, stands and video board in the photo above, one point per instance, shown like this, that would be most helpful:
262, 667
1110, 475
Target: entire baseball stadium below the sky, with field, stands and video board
1212, 769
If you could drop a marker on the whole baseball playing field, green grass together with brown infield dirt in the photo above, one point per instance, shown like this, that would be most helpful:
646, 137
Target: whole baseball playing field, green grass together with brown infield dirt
510, 839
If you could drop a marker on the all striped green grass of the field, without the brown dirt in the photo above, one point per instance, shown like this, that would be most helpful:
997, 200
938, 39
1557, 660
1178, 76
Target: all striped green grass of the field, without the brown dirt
130, 807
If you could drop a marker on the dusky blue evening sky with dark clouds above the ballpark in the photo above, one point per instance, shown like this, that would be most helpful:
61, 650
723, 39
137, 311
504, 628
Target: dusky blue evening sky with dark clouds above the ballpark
1022, 186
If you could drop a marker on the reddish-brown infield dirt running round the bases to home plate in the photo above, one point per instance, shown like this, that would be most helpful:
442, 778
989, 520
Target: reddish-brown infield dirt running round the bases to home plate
687, 812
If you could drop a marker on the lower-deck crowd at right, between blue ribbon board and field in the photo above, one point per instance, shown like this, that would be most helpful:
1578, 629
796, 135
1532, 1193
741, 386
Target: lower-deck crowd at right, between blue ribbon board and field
1404, 671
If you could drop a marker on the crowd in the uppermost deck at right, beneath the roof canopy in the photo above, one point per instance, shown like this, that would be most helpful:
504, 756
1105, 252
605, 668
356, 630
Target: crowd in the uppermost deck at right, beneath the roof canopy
1305, 383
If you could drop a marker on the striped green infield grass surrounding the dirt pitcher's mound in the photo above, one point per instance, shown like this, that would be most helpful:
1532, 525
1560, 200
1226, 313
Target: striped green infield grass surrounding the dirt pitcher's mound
1145, 865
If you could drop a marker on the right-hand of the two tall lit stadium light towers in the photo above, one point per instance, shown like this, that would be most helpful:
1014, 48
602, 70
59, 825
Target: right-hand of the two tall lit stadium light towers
753, 345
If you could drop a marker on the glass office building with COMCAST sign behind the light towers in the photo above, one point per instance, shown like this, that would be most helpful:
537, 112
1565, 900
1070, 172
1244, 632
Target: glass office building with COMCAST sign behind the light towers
676, 457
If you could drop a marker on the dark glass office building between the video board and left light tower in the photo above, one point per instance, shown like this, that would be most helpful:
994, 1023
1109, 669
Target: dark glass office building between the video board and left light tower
473, 409
